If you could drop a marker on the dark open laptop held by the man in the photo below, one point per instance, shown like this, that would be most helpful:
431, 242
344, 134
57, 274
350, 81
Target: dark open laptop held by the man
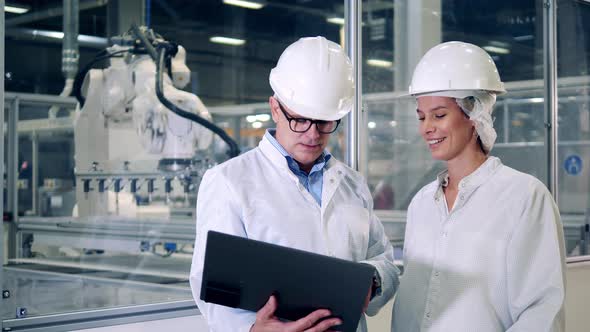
244, 273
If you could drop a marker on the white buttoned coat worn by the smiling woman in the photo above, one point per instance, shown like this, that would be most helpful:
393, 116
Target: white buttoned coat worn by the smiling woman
494, 263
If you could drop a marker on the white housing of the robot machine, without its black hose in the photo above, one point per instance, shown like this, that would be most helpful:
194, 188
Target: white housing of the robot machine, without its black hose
123, 131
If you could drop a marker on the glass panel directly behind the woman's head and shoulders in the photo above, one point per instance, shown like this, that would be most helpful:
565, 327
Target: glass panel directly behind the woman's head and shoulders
398, 162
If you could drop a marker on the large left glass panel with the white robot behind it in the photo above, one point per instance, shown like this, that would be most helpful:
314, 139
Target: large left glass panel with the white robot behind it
101, 218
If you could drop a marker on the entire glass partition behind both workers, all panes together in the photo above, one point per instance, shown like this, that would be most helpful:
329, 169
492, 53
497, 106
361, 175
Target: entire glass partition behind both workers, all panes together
99, 218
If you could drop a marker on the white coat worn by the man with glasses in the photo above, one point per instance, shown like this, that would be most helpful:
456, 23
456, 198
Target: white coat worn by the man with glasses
256, 195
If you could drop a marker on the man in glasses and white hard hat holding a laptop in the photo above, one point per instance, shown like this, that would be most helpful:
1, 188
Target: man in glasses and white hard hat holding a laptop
290, 191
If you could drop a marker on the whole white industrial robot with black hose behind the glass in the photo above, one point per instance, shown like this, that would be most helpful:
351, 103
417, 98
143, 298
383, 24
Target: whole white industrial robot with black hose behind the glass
141, 142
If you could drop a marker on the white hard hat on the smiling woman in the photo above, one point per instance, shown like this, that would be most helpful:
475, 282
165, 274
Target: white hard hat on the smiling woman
455, 66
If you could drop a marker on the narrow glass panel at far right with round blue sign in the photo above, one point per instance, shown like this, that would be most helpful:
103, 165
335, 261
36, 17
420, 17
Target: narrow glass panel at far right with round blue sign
573, 57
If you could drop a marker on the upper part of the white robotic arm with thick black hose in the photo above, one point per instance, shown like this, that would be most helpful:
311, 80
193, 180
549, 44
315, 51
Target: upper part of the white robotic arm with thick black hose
136, 86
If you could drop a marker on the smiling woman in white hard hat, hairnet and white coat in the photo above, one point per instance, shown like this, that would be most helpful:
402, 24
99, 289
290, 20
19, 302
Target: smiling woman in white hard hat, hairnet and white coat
484, 245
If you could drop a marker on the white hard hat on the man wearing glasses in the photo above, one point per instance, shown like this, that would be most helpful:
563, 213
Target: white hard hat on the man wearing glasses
313, 77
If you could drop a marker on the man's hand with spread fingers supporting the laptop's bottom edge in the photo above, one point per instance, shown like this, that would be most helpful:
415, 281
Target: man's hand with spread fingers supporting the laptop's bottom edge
266, 321
